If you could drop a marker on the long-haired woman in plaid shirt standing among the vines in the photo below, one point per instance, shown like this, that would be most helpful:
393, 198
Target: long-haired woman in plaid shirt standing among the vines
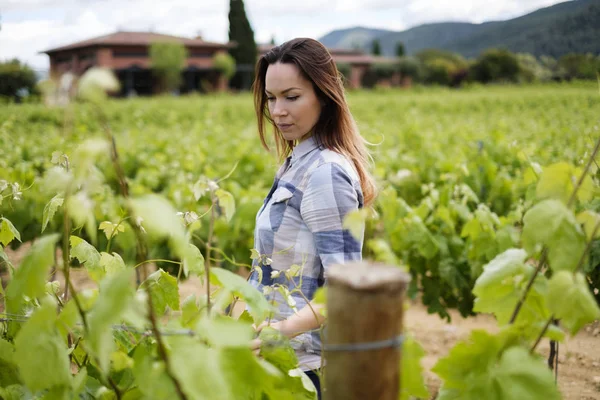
324, 176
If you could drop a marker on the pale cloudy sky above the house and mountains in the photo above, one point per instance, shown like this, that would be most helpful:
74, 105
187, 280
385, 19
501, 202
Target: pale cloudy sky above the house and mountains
30, 26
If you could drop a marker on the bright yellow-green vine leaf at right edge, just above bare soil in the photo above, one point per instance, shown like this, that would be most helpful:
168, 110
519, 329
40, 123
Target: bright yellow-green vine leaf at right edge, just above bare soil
570, 300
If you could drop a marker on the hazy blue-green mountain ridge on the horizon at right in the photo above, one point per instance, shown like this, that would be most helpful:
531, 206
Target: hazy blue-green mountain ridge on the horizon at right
569, 27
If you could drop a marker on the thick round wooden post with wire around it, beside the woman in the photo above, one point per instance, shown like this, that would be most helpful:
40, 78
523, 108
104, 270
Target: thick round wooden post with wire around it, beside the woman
365, 304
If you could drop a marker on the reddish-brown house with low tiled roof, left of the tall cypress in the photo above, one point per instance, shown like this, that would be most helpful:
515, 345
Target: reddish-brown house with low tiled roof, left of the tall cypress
128, 55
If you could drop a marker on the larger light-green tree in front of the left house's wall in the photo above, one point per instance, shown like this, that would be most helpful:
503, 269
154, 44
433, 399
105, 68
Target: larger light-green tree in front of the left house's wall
167, 60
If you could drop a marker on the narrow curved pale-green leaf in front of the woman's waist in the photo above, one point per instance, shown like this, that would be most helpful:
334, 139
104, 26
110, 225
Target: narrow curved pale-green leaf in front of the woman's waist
257, 304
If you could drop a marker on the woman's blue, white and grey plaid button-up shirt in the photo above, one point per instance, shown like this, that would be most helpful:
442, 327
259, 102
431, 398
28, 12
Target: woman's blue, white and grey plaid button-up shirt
300, 224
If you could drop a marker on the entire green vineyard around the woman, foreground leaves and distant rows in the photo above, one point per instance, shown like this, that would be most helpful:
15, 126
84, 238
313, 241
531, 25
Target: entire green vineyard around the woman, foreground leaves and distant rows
489, 196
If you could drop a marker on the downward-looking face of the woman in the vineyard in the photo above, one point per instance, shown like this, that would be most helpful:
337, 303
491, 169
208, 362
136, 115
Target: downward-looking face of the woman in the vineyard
293, 103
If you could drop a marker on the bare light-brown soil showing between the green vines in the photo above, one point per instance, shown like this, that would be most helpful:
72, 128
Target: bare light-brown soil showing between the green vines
579, 357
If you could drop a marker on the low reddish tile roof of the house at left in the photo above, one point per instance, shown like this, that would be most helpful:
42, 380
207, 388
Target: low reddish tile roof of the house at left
121, 38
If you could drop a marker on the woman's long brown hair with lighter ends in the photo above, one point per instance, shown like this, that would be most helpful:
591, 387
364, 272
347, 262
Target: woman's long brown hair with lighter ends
336, 129
